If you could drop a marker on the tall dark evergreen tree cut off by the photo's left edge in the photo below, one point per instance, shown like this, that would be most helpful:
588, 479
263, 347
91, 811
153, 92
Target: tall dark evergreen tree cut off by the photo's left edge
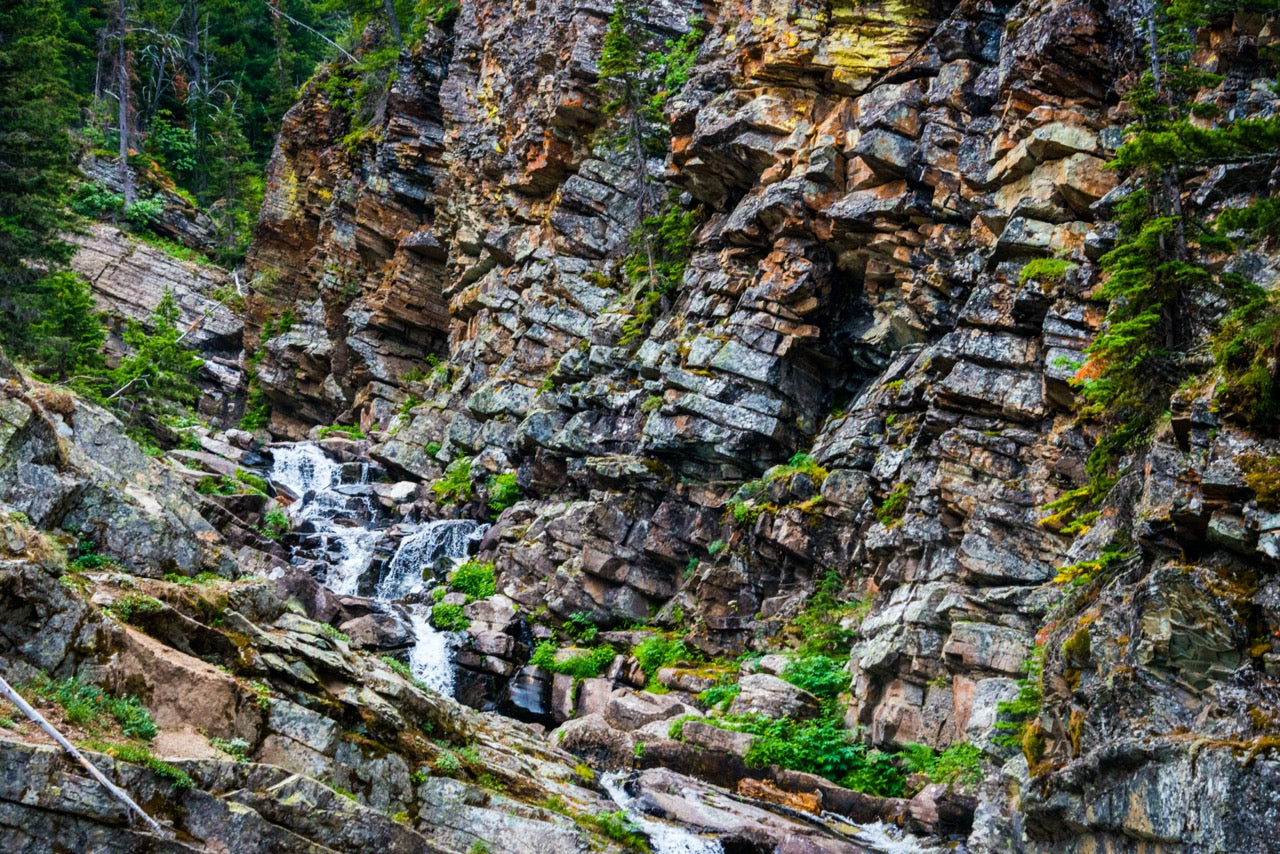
35, 162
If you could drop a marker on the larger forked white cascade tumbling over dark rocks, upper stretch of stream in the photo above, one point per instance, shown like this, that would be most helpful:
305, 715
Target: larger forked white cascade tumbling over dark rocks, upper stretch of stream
342, 523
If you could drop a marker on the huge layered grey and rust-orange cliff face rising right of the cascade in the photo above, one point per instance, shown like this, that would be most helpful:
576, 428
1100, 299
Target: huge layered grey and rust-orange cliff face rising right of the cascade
871, 181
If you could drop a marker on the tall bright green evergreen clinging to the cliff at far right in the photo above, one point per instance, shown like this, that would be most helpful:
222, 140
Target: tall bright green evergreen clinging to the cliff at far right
1156, 278
